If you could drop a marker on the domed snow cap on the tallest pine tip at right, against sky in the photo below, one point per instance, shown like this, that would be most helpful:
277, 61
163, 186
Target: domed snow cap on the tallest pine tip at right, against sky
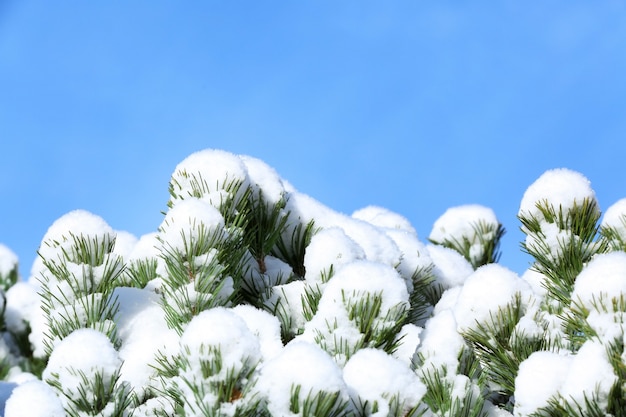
560, 187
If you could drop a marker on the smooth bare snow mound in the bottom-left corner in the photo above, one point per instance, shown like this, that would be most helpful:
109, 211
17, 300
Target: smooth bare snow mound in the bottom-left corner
34, 399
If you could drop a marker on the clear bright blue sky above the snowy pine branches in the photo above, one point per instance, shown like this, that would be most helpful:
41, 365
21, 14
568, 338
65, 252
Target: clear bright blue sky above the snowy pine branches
416, 106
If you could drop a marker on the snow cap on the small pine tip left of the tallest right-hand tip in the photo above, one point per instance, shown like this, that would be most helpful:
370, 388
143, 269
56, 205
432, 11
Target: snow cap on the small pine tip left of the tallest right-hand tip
458, 223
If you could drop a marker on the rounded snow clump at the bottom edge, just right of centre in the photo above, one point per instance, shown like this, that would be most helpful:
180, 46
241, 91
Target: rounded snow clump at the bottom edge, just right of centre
377, 377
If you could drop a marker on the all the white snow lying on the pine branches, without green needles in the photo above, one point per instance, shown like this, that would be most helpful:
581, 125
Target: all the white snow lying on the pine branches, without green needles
373, 253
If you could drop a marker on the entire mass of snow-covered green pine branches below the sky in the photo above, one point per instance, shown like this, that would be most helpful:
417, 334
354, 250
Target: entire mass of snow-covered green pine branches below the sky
251, 298
